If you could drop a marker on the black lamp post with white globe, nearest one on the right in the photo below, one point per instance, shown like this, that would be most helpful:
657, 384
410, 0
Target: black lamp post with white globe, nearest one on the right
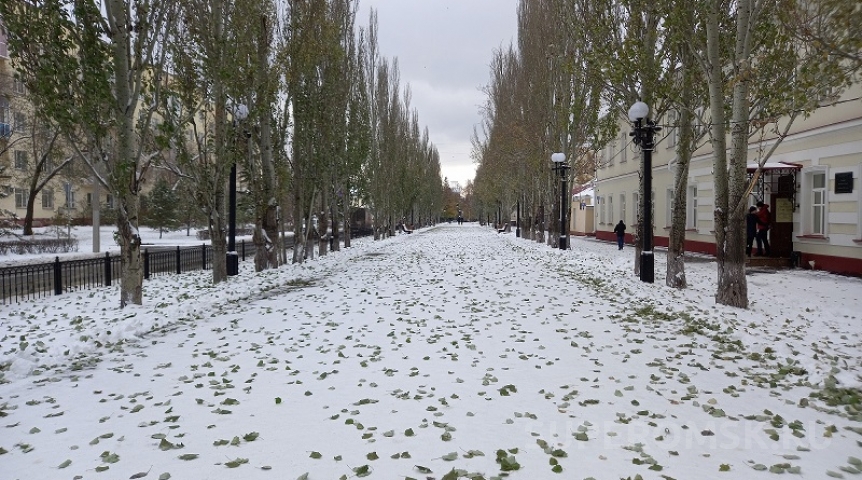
643, 135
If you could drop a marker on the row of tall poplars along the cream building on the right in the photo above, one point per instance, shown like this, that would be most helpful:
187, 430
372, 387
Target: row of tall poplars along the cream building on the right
744, 68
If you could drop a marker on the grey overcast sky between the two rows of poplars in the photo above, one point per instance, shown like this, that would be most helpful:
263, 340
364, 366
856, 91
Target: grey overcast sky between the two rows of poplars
444, 49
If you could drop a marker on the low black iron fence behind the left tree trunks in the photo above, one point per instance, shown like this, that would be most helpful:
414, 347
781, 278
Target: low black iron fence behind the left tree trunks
32, 281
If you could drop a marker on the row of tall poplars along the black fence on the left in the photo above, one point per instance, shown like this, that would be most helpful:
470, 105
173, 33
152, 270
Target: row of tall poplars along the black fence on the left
290, 92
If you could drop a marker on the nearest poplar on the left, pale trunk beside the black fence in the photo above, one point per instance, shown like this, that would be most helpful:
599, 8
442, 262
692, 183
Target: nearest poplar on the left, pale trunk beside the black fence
94, 68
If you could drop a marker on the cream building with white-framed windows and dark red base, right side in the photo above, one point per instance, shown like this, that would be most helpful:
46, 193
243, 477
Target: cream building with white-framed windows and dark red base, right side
812, 183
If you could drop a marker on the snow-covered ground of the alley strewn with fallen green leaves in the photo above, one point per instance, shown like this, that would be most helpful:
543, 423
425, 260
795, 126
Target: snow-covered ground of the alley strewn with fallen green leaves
423, 353
